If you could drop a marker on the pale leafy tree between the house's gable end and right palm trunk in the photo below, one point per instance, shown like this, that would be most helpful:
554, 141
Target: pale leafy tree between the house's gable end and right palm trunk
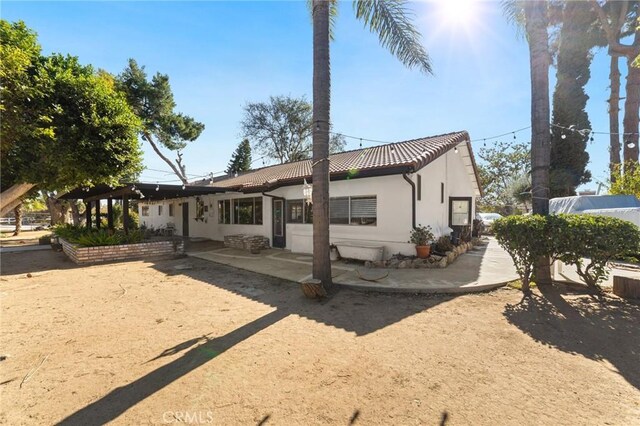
501, 164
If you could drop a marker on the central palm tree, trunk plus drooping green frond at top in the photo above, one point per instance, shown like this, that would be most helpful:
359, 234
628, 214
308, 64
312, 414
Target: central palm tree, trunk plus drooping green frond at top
391, 20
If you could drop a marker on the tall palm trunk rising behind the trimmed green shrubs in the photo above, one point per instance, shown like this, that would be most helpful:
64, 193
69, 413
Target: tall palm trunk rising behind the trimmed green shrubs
536, 27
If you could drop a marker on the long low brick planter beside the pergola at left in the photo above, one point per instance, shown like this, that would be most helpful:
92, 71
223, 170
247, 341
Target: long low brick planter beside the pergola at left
87, 255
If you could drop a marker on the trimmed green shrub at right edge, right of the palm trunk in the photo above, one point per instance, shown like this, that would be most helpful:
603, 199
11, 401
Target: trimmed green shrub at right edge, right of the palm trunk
589, 242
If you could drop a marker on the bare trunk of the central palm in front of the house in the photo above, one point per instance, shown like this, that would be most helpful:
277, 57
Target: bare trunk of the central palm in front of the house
321, 114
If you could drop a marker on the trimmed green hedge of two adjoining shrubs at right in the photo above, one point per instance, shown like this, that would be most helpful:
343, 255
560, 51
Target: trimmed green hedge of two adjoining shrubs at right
588, 242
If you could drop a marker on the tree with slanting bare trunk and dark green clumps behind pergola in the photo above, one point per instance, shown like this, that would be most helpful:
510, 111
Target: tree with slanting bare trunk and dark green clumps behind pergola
153, 103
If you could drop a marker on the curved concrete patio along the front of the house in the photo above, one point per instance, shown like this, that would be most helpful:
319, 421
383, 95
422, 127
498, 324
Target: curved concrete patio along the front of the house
483, 268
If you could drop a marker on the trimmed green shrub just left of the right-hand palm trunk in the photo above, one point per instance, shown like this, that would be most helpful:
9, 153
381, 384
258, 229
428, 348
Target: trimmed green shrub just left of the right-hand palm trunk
525, 238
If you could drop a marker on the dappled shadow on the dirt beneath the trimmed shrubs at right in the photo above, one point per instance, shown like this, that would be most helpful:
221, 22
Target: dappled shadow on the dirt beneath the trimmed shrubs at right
602, 328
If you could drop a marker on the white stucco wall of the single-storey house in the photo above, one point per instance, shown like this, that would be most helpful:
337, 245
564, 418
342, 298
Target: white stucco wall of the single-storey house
393, 198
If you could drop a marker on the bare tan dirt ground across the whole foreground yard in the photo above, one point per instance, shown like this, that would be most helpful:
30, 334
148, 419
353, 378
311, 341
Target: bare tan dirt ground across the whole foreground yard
188, 341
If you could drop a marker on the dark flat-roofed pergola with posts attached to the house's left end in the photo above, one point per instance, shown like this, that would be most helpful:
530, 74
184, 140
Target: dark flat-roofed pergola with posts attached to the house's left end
128, 191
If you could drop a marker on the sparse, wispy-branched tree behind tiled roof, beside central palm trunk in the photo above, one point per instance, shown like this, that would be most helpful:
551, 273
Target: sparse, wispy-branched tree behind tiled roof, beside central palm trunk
282, 127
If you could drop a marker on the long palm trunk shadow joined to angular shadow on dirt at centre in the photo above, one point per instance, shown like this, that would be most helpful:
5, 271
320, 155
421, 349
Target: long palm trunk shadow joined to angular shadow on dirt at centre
354, 312
